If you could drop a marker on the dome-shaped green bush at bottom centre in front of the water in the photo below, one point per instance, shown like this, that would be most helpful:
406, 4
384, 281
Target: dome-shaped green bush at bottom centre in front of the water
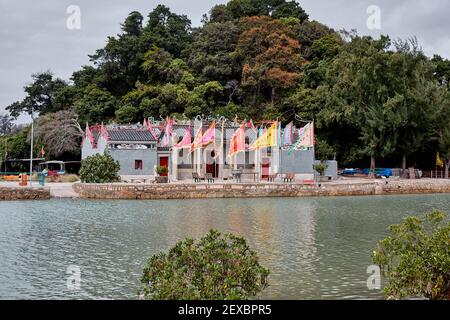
216, 267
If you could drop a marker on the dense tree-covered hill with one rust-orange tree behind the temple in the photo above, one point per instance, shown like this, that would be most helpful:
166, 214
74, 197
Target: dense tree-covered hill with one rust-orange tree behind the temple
263, 59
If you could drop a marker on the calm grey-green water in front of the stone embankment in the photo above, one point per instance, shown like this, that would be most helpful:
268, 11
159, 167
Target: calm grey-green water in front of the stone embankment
316, 248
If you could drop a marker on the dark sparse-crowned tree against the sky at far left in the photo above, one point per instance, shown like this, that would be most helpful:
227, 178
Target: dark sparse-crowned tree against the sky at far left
40, 95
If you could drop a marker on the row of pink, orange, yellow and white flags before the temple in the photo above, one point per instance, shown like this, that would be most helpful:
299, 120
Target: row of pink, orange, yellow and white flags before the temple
269, 135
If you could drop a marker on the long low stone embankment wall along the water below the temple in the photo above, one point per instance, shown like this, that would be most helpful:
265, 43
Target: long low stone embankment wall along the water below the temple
250, 190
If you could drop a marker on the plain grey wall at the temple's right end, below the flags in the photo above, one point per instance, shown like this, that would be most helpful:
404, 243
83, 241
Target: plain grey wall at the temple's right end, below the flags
297, 161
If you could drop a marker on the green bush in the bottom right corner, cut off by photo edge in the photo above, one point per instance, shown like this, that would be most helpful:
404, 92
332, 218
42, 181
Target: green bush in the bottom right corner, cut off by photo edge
415, 258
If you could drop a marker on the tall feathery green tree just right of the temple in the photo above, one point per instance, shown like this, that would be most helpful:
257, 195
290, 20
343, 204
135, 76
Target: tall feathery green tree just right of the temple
363, 82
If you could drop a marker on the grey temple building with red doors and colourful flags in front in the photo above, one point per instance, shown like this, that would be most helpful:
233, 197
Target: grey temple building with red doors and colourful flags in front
216, 149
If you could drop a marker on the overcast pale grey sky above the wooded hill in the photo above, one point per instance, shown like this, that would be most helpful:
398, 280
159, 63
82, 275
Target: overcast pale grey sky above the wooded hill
34, 36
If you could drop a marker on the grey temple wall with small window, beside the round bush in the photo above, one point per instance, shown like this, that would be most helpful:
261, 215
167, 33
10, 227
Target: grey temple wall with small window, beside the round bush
127, 157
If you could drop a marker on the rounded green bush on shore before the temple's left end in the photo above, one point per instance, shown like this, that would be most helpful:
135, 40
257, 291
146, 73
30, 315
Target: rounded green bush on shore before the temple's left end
99, 168
